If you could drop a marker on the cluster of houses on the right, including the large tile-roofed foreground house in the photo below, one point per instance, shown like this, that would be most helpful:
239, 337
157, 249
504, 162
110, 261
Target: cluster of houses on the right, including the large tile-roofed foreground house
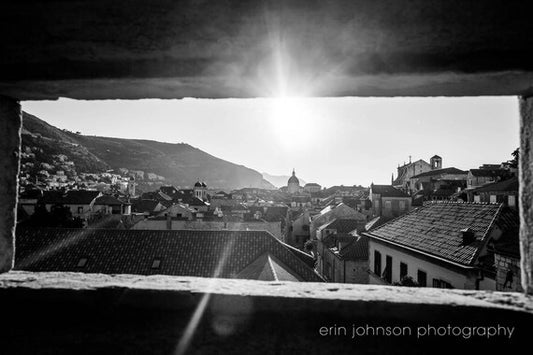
432, 227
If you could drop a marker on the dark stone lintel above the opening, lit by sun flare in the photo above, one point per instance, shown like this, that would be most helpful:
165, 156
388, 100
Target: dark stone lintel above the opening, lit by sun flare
233, 48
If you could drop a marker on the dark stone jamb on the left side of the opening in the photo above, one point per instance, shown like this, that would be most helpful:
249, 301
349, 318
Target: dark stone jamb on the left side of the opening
10, 125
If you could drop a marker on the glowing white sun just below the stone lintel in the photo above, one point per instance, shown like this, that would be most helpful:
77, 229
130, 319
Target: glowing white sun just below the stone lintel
293, 121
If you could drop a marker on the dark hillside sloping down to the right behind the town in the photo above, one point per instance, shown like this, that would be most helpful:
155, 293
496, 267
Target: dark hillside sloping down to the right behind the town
179, 164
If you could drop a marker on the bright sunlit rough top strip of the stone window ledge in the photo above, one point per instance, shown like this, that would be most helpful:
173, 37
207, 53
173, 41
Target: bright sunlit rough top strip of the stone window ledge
190, 286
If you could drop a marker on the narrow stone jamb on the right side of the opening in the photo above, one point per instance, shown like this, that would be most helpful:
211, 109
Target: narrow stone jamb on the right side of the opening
526, 192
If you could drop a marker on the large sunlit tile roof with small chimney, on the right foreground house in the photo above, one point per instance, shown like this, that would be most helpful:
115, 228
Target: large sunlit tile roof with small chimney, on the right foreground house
435, 229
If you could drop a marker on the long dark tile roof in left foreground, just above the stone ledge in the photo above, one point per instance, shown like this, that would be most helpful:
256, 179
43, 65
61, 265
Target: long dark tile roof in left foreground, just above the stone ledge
179, 253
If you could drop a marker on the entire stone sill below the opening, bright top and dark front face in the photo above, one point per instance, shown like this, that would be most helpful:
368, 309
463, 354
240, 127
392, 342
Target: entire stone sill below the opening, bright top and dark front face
72, 313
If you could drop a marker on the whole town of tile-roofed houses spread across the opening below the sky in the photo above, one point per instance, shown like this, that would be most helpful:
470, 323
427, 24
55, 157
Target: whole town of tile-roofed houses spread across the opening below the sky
431, 227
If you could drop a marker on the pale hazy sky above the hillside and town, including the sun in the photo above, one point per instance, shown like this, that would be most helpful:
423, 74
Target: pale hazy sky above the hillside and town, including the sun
327, 140
